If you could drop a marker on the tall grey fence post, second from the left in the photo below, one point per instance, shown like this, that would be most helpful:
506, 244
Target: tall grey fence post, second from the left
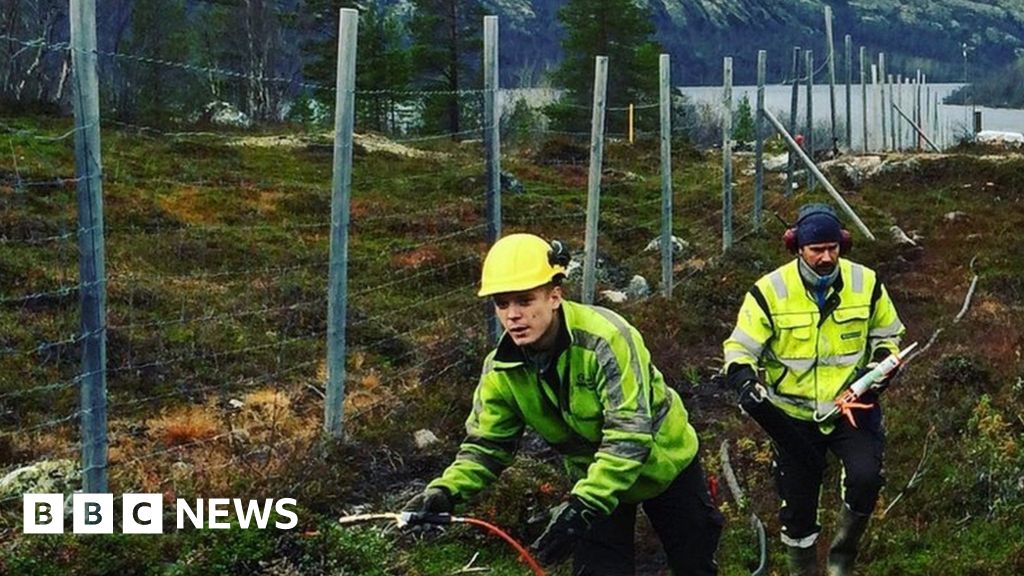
342, 185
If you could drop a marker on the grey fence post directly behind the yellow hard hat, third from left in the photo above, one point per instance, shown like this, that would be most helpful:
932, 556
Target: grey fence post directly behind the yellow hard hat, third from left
492, 146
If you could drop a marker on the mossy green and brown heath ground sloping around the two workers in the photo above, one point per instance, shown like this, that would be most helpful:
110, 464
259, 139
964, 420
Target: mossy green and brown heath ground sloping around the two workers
218, 257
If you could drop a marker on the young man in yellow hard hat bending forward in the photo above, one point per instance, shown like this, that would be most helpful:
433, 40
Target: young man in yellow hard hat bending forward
582, 378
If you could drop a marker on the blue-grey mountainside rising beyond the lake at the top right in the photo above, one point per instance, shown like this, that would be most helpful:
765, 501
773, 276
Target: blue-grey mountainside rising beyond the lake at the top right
914, 35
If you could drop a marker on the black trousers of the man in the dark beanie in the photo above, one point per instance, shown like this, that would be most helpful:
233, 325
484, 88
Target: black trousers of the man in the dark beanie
859, 448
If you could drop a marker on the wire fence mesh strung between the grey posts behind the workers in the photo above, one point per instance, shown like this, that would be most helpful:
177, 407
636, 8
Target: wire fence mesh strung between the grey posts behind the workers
218, 246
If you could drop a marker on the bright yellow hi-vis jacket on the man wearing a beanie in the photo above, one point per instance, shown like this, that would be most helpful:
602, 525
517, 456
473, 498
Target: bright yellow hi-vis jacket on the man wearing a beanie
810, 355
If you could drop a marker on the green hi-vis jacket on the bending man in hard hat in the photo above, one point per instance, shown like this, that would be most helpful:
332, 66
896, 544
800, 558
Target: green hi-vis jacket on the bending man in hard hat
602, 403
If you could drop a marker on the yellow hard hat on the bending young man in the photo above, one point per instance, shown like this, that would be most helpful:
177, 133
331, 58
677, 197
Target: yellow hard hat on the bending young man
522, 262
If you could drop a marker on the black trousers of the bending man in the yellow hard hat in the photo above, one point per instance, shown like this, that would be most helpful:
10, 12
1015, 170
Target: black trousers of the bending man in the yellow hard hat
685, 518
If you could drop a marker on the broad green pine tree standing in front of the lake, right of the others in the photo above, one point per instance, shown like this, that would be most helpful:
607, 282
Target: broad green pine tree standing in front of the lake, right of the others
620, 30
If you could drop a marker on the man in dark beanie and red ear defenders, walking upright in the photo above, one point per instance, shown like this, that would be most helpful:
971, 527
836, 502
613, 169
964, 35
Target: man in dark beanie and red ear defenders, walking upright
804, 334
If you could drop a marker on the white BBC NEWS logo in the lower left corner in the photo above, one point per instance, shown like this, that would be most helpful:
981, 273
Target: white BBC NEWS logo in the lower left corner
144, 514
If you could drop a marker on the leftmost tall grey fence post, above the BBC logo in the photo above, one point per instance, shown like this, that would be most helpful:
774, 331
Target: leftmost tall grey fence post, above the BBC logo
92, 245
